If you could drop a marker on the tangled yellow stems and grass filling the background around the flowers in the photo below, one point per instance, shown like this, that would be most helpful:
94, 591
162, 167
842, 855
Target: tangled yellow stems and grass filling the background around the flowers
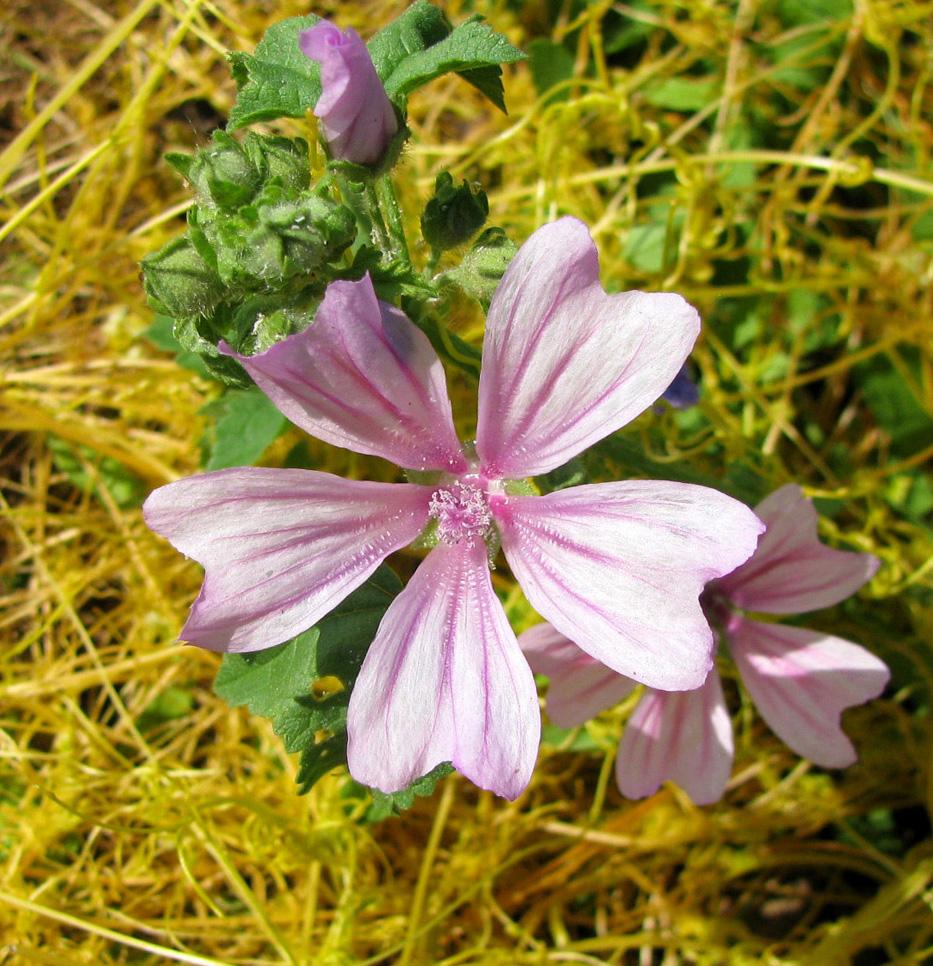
143, 821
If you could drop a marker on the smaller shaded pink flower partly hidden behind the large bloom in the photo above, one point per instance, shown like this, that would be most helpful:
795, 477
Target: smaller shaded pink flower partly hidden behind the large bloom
800, 680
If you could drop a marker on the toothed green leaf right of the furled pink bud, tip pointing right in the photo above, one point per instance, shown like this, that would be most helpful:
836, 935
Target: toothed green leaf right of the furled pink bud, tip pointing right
473, 49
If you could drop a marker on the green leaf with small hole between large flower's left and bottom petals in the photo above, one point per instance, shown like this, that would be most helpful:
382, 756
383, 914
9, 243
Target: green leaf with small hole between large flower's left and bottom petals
304, 685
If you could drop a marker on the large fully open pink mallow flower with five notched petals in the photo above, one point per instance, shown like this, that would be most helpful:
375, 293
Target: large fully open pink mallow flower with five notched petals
619, 566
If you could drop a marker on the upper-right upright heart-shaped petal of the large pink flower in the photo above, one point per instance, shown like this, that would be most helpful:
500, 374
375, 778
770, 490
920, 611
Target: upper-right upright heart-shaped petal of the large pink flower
565, 364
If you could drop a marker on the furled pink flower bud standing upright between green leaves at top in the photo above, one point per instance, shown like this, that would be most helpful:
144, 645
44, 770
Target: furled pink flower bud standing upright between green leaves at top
356, 116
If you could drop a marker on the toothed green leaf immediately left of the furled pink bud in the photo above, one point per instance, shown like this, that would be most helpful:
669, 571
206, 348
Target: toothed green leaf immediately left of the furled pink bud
278, 80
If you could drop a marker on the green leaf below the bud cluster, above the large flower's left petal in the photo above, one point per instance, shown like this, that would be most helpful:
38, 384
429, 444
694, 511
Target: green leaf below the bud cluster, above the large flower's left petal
247, 423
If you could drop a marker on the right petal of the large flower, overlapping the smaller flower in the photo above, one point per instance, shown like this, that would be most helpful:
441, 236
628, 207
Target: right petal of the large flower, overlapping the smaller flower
619, 567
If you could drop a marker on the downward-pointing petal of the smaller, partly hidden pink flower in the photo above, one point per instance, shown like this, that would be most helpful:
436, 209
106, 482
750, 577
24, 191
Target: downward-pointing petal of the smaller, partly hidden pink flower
679, 736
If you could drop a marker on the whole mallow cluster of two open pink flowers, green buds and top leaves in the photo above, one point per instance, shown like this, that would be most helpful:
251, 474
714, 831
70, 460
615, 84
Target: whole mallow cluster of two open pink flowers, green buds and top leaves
277, 283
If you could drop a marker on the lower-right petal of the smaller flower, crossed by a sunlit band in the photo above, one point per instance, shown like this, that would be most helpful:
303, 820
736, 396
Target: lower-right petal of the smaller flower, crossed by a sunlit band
801, 681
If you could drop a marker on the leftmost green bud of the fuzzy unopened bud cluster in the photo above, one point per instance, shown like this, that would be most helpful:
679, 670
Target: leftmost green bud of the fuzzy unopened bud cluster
180, 280
